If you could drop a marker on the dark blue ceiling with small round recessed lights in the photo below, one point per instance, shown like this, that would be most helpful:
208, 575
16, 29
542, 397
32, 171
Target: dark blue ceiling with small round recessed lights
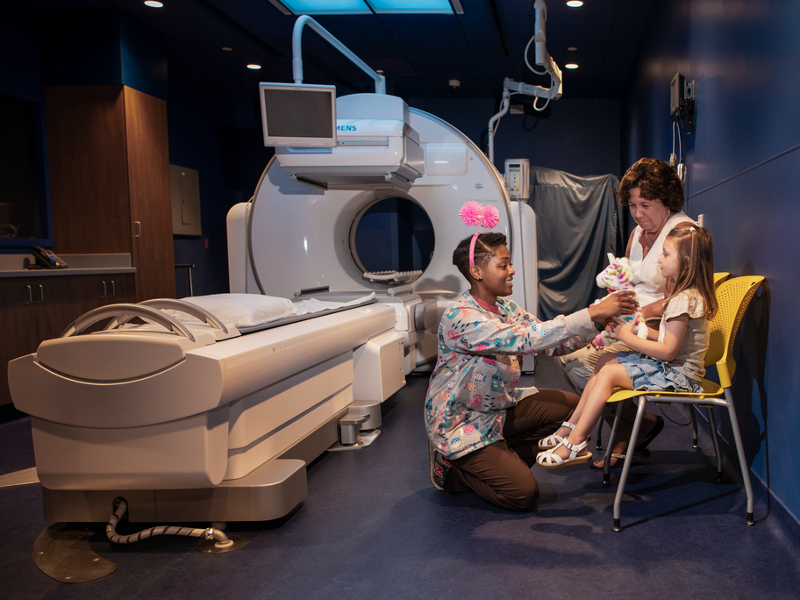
418, 53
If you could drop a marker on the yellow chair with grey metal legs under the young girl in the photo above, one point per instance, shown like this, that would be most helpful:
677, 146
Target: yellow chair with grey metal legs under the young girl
733, 296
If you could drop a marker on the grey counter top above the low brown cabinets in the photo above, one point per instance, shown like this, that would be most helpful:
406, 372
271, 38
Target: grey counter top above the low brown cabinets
14, 265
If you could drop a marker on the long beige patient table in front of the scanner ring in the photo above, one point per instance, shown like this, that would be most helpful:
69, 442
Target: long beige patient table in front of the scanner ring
193, 421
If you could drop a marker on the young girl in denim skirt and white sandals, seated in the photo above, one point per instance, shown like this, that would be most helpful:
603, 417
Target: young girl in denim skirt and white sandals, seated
672, 361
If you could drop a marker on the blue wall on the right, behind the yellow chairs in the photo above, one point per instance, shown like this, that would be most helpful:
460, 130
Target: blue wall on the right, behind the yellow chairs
742, 162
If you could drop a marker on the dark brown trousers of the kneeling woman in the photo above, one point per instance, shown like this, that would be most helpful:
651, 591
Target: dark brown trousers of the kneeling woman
501, 472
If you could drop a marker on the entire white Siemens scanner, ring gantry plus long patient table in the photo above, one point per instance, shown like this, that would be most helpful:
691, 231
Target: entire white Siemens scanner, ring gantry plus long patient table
193, 417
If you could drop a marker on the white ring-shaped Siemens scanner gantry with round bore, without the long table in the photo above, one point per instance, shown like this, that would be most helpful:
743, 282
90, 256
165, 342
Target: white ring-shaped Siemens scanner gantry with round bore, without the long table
299, 232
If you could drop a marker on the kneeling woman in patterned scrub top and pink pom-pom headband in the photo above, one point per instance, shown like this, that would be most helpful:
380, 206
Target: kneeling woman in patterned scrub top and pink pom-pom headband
483, 430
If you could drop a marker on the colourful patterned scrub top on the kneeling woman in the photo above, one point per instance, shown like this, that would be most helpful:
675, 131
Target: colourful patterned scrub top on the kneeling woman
478, 368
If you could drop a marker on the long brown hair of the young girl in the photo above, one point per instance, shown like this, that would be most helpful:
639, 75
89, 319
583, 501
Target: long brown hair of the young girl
696, 258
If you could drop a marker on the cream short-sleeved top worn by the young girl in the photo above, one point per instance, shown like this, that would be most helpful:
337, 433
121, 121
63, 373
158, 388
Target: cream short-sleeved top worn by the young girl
691, 356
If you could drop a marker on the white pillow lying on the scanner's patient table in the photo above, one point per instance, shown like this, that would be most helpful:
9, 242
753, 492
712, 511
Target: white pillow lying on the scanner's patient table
239, 310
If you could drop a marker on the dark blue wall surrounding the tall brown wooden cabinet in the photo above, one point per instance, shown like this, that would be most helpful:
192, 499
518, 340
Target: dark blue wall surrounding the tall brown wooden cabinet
210, 134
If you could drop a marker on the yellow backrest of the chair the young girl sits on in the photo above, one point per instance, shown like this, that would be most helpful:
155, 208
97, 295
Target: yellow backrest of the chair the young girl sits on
733, 296
